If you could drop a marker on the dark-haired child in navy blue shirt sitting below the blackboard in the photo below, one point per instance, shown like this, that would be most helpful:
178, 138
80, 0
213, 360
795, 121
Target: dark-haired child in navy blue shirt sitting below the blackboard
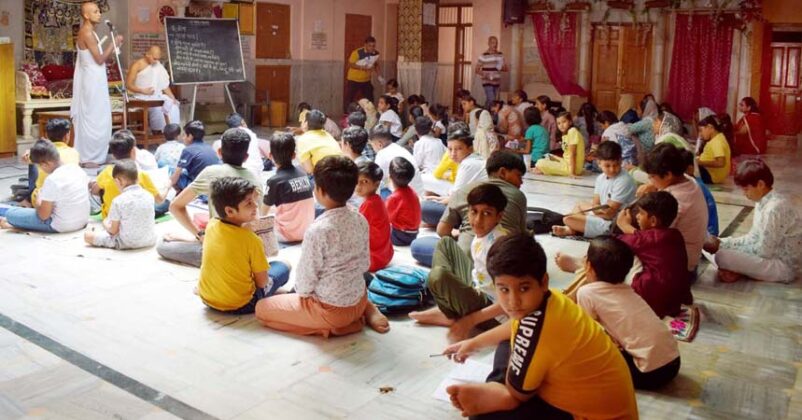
195, 157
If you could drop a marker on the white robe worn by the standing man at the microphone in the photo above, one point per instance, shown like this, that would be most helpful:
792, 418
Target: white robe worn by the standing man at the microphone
91, 108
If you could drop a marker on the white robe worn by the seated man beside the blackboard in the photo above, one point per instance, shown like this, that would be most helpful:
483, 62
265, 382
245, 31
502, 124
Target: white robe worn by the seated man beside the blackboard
155, 76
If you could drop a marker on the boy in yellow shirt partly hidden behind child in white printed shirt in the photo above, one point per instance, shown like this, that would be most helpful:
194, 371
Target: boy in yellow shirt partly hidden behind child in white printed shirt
121, 147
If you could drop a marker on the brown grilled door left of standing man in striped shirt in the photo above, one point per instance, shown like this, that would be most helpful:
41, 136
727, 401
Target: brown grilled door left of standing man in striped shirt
454, 56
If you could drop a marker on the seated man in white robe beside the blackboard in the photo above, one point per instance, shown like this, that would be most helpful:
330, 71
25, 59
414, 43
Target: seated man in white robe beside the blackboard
148, 79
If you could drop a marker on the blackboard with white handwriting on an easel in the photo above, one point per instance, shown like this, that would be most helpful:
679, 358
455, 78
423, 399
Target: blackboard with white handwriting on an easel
204, 50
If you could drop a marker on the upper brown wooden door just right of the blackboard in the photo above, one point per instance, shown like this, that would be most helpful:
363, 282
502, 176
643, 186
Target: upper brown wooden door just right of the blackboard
272, 30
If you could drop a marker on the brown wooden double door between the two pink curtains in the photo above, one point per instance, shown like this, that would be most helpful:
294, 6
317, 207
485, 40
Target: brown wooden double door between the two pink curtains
622, 60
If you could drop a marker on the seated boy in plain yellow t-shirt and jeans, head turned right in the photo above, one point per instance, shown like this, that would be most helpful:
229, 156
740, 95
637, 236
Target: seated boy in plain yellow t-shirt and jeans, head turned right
234, 272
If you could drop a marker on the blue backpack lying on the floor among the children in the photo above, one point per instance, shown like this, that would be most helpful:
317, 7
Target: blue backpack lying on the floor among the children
400, 289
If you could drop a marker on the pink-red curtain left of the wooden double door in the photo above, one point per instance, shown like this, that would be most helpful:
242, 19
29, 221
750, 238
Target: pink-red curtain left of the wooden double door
556, 41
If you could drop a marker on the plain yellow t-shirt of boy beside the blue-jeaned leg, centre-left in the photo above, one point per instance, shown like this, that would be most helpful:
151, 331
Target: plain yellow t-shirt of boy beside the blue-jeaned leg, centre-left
231, 254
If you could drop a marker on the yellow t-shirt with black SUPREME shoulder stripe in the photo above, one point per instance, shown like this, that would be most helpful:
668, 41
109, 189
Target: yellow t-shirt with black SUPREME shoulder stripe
561, 354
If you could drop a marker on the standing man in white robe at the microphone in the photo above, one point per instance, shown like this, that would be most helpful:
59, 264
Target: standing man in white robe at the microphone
91, 105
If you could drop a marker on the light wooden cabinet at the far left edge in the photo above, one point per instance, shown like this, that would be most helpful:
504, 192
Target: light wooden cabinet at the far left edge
8, 111
